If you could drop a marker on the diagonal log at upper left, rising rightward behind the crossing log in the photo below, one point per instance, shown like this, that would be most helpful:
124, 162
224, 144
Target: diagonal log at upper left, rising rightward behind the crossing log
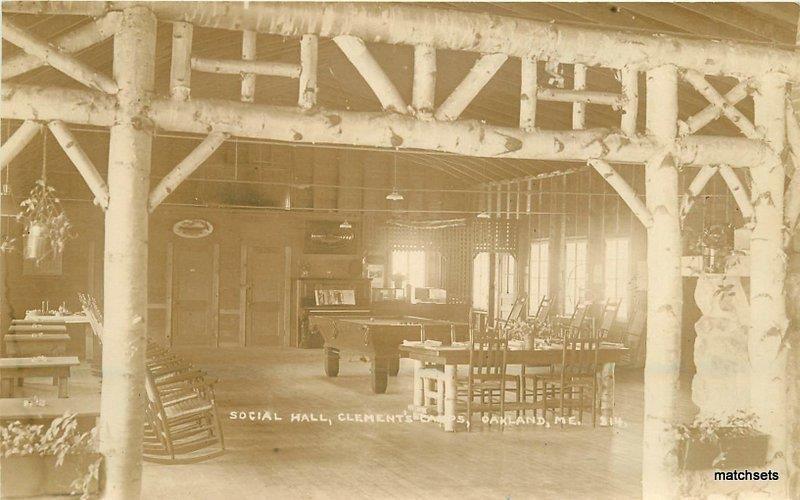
75, 41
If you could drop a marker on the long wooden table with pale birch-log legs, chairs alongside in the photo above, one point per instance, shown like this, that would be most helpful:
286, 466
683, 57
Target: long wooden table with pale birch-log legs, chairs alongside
449, 357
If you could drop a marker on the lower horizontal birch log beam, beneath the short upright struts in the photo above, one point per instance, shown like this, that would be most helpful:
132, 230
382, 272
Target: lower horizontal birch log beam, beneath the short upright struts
376, 129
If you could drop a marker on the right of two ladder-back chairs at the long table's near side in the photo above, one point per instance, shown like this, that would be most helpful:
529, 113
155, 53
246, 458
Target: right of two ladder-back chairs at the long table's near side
573, 384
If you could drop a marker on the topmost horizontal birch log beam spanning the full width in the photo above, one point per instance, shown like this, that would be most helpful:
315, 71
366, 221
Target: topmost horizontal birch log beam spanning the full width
454, 30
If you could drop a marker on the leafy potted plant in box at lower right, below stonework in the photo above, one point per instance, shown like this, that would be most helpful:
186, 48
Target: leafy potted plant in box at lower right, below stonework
711, 444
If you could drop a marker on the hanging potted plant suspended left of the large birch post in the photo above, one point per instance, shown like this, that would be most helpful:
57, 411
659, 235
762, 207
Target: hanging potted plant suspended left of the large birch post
46, 225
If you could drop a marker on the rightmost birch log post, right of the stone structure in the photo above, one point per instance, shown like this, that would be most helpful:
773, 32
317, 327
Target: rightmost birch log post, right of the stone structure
768, 322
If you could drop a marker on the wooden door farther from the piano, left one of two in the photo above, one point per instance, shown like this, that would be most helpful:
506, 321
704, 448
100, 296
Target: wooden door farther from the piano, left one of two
193, 279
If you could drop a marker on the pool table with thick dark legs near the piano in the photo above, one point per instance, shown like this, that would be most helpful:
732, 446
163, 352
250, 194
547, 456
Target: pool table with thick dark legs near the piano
379, 339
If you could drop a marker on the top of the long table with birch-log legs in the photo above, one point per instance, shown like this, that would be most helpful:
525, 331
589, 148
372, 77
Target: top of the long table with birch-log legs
459, 355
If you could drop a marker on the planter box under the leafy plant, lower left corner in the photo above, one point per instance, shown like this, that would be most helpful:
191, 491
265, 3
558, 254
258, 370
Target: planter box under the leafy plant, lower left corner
37, 475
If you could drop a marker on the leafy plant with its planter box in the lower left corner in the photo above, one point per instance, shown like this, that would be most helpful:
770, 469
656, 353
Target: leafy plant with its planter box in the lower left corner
48, 460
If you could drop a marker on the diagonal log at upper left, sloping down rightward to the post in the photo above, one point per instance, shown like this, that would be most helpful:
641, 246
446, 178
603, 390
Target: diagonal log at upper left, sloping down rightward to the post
56, 58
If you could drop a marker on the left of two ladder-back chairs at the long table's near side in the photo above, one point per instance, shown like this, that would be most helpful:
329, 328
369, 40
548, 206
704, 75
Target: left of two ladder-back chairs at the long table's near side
486, 386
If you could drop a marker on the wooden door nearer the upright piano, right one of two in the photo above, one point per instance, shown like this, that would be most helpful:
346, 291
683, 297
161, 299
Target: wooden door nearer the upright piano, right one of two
265, 295
